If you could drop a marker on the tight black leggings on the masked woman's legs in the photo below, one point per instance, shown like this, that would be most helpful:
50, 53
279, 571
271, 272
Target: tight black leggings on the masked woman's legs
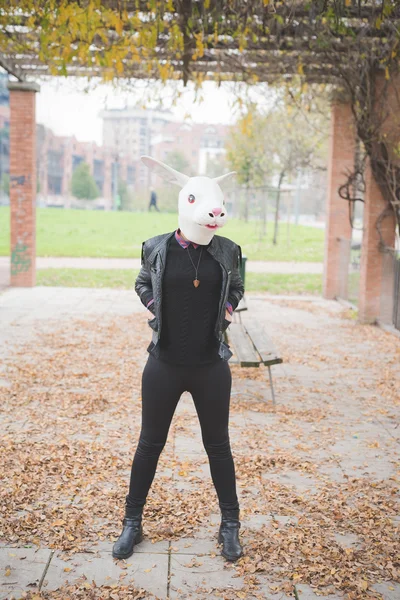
162, 387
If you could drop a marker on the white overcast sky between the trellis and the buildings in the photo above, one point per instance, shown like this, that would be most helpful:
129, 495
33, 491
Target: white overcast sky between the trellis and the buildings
71, 106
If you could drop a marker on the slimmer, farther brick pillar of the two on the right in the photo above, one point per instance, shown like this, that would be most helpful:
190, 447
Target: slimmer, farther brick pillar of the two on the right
338, 229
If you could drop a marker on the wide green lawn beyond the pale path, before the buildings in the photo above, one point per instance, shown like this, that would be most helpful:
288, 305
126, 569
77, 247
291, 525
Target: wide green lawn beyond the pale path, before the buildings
68, 232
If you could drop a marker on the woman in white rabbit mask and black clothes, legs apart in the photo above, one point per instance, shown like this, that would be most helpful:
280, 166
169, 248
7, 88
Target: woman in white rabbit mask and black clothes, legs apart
190, 281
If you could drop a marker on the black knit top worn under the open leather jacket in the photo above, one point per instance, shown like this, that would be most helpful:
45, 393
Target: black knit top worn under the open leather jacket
189, 314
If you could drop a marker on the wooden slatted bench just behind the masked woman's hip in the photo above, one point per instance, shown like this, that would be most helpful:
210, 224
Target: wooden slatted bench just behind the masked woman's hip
252, 347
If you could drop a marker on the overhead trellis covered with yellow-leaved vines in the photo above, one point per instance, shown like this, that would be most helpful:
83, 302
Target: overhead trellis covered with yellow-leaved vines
251, 41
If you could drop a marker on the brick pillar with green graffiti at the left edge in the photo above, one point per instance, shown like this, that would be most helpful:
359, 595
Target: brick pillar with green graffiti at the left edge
23, 182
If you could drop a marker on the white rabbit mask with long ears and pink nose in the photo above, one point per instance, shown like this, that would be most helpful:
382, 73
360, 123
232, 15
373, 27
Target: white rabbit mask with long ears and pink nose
201, 201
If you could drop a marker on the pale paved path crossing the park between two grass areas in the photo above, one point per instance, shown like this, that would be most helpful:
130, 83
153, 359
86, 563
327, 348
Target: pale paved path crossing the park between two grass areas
252, 266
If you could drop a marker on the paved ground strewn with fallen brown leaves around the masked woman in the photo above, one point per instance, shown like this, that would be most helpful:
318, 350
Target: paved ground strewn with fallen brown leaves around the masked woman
317, 474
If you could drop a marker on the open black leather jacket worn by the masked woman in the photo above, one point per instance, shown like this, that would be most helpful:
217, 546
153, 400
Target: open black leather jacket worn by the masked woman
149, 283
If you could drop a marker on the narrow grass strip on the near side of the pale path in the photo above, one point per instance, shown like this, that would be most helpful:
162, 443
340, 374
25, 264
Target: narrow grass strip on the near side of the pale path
124, 278
